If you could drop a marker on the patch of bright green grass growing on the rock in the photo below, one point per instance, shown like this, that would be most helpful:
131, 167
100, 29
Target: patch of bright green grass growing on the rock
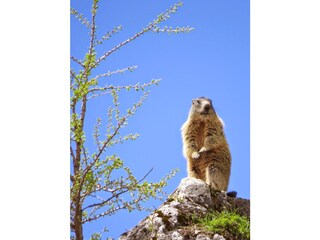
228, 224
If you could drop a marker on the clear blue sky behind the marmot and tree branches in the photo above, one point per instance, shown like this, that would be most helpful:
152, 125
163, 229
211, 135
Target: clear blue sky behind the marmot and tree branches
213, 61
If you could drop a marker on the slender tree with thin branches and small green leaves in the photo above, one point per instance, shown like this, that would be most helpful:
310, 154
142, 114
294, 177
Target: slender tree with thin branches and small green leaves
94, 191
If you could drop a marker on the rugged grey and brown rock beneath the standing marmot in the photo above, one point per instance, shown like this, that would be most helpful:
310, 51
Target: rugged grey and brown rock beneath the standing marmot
174, 220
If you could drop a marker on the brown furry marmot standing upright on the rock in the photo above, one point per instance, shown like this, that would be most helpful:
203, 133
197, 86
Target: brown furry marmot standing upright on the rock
205, 146
